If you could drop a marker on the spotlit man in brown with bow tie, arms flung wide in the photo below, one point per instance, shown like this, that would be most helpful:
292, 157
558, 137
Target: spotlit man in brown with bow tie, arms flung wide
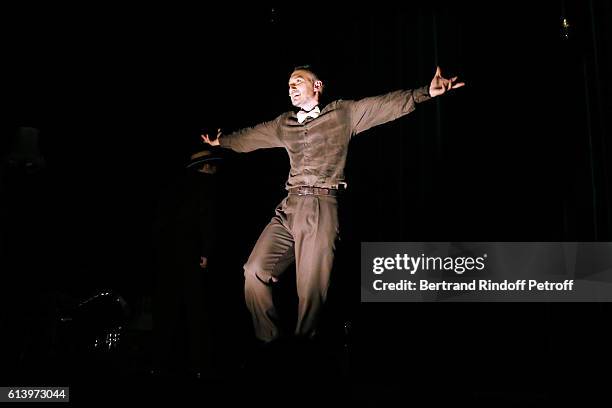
305, 227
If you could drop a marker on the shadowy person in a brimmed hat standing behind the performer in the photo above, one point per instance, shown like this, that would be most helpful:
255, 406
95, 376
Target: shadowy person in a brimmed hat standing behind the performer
184, 242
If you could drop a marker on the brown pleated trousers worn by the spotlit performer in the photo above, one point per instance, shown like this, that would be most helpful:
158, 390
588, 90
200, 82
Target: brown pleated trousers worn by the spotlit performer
304, 229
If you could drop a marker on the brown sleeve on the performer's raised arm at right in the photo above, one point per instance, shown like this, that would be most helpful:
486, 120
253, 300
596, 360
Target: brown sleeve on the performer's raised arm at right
376, 110
